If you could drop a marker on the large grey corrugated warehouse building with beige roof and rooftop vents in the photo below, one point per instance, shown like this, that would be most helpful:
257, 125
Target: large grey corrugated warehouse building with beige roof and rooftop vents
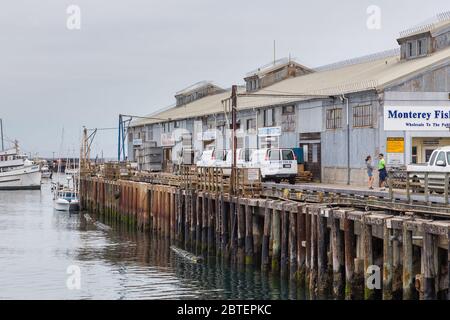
338, 113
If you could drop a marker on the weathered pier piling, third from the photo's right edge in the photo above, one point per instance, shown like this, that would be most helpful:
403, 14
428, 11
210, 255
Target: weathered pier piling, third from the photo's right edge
408, 277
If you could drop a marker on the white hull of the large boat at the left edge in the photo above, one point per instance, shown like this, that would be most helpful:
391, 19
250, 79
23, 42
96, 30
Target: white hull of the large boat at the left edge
24, 178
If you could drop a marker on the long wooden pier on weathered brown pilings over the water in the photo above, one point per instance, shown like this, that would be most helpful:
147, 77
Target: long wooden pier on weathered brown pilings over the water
331, 249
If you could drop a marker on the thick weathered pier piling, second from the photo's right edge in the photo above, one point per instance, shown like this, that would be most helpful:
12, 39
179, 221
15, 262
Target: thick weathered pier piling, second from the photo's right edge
429, 271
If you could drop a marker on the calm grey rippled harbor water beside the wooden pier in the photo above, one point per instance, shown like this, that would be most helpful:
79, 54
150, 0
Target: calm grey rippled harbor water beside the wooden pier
45, 254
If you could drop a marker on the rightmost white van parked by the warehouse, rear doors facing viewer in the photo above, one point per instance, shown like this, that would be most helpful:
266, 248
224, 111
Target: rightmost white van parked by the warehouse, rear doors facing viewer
275, 164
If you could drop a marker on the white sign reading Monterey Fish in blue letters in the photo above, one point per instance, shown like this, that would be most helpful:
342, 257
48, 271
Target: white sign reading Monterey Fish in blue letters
402, 118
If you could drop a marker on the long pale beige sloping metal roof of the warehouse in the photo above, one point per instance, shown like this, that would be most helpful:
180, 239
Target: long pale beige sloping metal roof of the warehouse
374, 74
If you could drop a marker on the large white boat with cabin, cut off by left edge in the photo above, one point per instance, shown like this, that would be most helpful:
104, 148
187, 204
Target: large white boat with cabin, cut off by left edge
17, 172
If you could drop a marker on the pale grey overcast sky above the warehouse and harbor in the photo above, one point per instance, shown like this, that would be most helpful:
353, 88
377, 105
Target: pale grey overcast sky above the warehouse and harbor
131, 56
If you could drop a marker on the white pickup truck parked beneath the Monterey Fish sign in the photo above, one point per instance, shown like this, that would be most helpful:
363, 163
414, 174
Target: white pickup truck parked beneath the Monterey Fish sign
437, 166
